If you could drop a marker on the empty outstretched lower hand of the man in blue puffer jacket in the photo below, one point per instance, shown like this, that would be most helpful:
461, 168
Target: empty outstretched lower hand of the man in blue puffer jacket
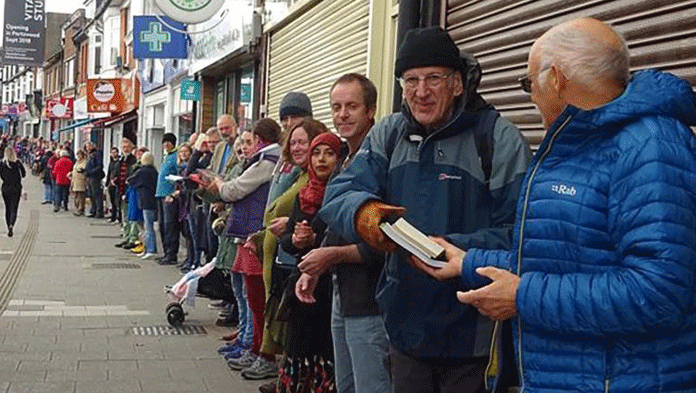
497, 299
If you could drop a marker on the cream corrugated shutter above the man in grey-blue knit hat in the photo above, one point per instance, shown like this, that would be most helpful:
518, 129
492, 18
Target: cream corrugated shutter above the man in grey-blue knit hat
311, 52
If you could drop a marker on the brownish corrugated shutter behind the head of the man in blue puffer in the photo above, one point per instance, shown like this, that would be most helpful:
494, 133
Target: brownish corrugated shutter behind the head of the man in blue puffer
660, 34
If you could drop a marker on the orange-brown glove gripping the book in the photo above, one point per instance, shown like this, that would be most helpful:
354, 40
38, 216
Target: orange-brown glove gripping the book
367, 221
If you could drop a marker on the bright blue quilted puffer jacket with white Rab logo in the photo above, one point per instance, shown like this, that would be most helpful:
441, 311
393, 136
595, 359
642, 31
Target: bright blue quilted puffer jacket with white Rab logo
605, 244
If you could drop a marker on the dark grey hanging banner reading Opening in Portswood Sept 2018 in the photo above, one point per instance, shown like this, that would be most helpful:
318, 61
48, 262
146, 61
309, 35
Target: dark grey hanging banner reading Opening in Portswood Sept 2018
23, 41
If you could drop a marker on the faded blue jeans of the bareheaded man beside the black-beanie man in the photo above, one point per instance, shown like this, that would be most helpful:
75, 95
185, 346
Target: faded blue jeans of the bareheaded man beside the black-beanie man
361, 351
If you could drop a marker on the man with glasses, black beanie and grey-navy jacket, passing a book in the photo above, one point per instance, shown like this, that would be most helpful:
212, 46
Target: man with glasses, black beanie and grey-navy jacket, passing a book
453, 167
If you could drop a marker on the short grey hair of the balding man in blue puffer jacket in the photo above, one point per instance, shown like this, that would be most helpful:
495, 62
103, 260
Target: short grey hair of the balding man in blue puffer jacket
584, 59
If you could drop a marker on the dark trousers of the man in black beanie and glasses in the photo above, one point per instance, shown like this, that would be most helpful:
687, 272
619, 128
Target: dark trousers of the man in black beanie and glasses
413, 375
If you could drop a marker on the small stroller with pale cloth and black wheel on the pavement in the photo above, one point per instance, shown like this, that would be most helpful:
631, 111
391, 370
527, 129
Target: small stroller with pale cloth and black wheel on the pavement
206, 282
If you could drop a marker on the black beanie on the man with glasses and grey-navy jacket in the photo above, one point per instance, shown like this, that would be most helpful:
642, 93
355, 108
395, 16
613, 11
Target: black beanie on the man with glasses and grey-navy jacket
427, 47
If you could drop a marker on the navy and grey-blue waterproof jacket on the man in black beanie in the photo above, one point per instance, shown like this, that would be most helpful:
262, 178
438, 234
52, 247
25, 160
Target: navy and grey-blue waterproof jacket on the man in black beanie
440, 181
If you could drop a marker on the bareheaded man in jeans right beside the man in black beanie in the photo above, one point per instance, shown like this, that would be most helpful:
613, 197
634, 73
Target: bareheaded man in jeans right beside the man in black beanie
361, 347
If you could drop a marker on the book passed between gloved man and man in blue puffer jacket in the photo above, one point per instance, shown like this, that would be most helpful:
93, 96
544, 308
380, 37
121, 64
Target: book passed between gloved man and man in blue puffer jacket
415, 242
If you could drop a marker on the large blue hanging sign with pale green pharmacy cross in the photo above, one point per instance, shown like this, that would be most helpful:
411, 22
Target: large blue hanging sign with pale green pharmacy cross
154, 38
